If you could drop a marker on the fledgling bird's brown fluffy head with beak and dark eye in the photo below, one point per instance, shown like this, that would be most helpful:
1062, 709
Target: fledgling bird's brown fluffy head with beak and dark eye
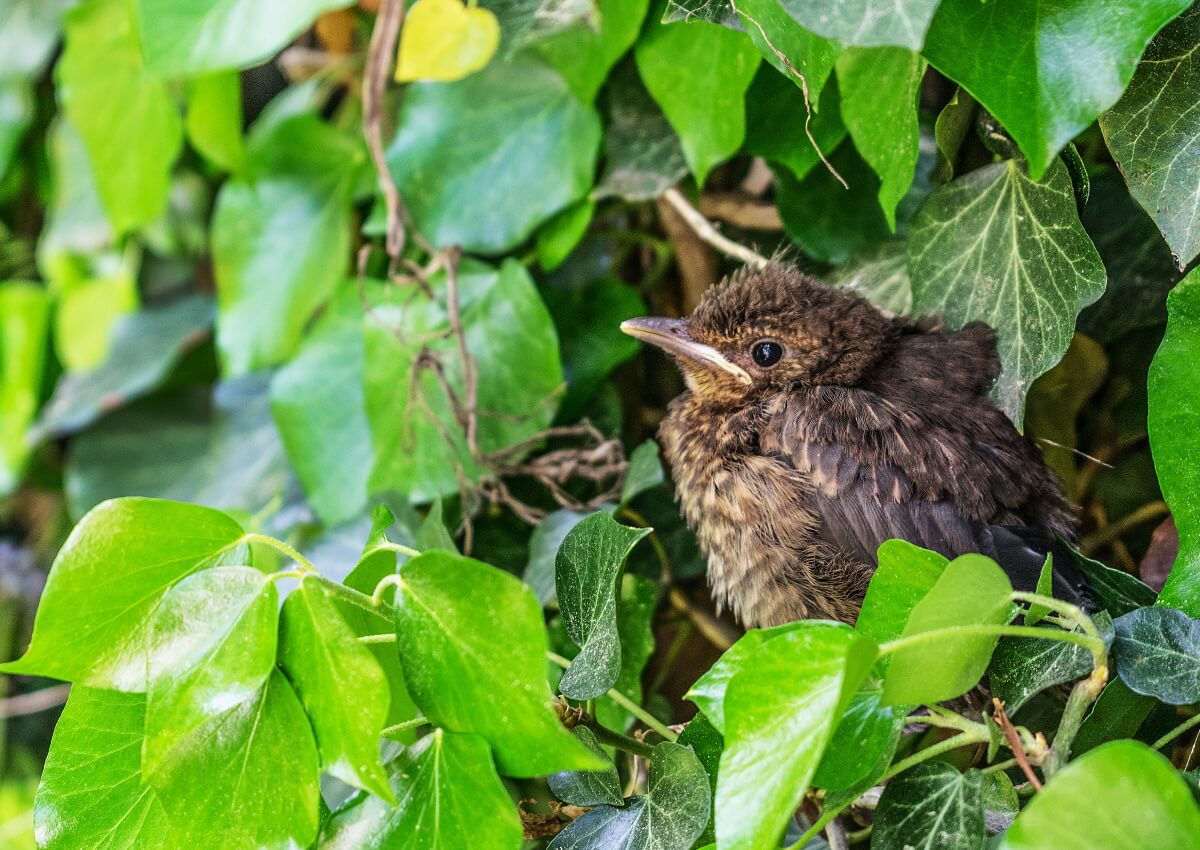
766, 331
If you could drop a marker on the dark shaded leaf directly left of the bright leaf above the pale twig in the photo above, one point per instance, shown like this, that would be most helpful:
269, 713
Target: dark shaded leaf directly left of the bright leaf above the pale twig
643, 154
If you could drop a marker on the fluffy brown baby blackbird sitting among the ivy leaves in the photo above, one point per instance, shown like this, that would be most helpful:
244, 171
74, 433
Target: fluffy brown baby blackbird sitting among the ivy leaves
815, 428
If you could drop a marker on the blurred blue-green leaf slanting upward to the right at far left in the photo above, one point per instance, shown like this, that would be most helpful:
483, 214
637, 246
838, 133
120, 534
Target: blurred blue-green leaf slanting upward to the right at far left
145, 348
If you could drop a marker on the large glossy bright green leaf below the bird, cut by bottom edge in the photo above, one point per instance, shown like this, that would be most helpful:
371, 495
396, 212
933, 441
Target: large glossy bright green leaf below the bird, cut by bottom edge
781, 711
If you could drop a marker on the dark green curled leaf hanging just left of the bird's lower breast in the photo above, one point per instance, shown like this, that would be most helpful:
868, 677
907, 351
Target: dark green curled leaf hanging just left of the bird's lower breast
586, 573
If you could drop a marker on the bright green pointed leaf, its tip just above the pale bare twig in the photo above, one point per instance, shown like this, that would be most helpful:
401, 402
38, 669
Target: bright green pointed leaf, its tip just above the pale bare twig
707, 111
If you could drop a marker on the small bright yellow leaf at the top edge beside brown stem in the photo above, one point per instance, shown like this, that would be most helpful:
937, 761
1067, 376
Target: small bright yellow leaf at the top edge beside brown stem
445, 40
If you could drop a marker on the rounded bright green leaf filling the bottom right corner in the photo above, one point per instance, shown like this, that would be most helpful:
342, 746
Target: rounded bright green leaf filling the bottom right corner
1097, 800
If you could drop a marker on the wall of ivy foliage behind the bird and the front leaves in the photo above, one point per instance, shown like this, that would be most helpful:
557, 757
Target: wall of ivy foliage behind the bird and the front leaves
212, 296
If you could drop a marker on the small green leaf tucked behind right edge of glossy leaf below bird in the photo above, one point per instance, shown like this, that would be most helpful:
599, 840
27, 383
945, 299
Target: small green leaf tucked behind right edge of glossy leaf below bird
867, 735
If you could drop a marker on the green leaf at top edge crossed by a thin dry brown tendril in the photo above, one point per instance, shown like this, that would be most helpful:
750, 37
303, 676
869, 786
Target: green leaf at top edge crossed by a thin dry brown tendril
801, 56
